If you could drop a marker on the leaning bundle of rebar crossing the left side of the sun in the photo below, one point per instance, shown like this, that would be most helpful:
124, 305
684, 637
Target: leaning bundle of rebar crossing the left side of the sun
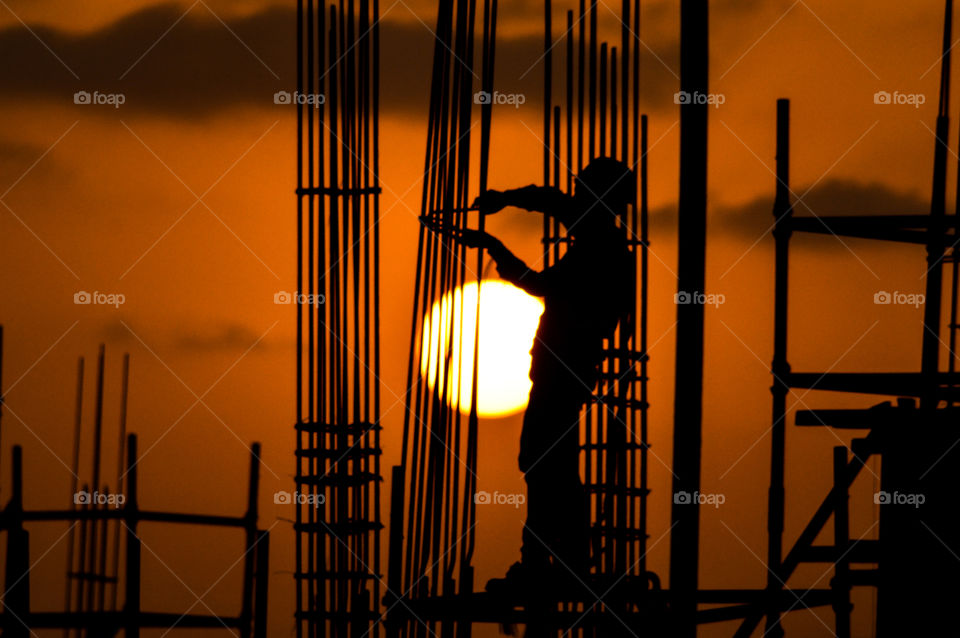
433, 512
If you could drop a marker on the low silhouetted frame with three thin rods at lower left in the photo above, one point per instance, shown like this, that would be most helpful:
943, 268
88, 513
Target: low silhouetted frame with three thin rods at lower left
104, 548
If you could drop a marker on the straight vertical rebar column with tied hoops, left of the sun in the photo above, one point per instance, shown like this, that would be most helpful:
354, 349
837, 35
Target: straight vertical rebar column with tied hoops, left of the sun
338, 319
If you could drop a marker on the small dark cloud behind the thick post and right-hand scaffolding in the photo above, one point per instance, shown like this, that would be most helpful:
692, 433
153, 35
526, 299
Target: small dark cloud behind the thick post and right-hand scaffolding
834, 197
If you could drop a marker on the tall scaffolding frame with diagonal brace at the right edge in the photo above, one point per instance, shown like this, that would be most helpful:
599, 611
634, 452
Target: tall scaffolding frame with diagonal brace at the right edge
927, 399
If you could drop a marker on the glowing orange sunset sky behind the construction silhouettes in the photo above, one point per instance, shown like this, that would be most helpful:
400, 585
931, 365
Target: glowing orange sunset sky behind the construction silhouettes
106, 199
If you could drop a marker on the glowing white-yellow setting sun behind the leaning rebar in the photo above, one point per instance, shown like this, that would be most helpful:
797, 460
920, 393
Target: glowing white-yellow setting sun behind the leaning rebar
508, 323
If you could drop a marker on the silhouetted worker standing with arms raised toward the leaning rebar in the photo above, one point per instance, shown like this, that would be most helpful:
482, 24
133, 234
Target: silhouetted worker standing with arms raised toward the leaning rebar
584, 295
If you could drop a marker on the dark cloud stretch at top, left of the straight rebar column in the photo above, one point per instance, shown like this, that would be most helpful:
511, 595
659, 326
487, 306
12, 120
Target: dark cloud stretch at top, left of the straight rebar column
198, 66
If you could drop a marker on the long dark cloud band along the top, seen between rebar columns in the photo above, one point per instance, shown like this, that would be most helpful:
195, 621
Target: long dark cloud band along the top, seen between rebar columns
166, 63
